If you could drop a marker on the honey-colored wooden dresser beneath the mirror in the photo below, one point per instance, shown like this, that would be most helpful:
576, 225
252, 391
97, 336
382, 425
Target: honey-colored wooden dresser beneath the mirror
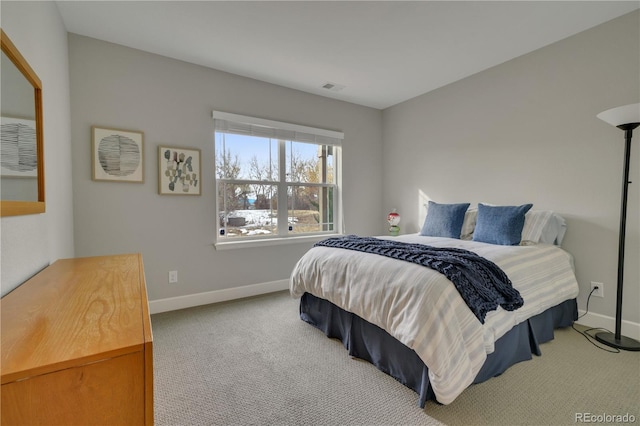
77, 345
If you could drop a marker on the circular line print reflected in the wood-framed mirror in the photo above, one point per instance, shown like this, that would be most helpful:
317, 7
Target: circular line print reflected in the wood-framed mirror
19, 149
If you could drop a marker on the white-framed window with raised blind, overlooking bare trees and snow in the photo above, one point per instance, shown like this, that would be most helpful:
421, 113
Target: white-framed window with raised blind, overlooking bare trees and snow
274, 179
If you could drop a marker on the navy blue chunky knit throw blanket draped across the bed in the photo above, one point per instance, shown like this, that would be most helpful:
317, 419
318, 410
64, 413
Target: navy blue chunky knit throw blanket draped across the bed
480, 282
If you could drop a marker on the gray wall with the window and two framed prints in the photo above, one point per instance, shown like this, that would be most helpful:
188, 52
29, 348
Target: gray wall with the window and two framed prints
171, 102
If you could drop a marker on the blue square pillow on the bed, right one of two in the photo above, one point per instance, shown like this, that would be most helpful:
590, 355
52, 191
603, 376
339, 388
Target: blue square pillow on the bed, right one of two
500, 224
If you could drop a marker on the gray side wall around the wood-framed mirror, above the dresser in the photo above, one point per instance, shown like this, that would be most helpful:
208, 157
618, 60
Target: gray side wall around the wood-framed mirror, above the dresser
31, 242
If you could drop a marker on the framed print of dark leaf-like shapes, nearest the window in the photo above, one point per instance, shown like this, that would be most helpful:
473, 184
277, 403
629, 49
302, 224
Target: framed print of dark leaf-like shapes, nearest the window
179, 171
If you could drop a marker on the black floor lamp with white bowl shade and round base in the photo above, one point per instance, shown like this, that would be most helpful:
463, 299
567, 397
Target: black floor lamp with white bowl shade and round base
626, 118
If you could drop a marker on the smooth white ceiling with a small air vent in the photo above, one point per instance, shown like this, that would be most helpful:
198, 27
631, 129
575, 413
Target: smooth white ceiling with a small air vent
382, 52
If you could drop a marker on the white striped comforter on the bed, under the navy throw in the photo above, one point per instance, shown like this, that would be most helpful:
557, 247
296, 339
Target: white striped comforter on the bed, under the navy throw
422, 309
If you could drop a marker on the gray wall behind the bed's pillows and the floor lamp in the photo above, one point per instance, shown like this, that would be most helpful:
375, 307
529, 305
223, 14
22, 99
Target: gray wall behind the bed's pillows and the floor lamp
526, 131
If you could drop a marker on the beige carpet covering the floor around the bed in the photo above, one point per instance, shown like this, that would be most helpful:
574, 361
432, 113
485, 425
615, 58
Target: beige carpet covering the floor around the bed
254, 362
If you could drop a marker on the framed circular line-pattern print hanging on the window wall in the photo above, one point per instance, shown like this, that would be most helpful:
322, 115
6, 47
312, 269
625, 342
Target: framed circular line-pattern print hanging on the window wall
117, 155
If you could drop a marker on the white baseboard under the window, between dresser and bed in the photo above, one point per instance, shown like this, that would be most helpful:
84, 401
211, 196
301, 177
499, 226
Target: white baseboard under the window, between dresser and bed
197, 299
